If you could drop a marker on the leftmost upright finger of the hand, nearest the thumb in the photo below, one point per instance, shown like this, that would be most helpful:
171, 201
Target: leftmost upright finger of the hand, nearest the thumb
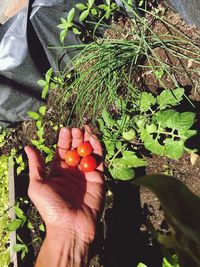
64, 143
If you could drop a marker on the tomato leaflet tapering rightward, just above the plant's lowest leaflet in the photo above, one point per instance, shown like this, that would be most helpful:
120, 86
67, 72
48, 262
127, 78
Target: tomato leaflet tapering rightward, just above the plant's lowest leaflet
132, 161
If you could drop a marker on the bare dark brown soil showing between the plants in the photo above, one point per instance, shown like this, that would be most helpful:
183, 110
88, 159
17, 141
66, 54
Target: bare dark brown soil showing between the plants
123, 238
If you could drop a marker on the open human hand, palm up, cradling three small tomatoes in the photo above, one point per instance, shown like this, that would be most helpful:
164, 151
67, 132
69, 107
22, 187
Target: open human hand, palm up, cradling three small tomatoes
67, 199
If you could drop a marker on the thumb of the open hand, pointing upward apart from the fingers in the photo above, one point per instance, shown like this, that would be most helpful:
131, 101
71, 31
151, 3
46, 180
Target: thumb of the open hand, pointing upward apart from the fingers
37, 171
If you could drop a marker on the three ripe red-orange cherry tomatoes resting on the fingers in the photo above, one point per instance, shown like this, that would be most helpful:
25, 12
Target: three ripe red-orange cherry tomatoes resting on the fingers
82, 155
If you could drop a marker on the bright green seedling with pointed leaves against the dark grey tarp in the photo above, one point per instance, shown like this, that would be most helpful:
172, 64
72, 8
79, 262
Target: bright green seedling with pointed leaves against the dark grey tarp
68, 24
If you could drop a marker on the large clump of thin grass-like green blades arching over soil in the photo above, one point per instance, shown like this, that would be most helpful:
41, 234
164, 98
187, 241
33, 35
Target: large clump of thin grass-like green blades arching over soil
106, 69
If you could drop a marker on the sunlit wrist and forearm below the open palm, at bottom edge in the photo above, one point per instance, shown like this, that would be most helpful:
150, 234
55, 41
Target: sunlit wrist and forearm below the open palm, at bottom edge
60, 250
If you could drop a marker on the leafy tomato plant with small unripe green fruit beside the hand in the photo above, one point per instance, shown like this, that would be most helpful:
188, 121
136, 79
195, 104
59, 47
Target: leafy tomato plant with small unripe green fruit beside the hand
149, 122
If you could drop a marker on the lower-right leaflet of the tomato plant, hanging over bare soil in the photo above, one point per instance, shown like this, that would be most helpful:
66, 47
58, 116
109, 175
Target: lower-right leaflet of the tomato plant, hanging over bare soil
174, 149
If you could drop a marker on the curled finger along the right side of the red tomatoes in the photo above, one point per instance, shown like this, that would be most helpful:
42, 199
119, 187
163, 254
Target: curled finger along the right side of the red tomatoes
92, 138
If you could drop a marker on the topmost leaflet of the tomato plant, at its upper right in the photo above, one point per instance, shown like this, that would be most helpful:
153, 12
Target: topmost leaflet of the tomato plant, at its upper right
170, 98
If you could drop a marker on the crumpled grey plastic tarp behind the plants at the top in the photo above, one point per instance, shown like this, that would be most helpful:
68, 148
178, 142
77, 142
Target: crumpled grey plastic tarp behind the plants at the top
25, 57
